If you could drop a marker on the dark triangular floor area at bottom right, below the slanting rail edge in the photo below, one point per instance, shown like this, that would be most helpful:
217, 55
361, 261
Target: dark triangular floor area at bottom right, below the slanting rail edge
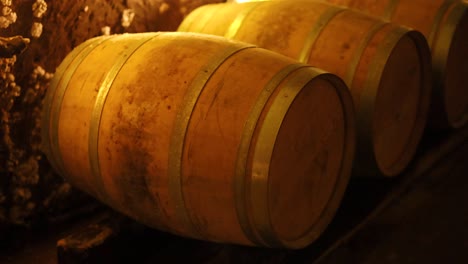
426, 224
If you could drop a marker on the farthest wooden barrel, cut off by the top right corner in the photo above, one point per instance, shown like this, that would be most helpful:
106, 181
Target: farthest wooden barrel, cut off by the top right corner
445, 25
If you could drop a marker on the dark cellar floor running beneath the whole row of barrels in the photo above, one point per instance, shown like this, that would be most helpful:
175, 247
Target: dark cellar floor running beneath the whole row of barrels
420, 217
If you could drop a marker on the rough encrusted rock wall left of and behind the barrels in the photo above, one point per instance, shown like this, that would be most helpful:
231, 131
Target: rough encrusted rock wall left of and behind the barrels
45, 32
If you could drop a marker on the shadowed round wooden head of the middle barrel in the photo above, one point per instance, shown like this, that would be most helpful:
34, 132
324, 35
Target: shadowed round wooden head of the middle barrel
401, 105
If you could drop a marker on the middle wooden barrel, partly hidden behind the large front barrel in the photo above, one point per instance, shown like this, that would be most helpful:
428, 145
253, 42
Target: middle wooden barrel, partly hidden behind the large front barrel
387, 67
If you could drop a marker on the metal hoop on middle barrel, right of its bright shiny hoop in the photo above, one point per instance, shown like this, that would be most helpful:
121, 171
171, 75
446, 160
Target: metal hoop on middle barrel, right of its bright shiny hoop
317, 28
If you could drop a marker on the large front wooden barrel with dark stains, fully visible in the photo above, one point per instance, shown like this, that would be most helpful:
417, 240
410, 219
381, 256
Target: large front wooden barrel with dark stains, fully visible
203, 137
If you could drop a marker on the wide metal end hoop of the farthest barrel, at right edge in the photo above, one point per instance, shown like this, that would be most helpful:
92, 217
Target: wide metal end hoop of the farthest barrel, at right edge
441, 46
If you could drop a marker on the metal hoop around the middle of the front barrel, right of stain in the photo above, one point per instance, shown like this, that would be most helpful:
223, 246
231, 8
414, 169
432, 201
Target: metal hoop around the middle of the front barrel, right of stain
179, 132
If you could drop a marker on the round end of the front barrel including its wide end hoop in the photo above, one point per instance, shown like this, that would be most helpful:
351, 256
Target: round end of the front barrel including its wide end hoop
302, 159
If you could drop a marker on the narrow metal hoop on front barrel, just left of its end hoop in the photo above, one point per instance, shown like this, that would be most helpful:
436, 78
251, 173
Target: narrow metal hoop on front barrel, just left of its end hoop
243, 151
